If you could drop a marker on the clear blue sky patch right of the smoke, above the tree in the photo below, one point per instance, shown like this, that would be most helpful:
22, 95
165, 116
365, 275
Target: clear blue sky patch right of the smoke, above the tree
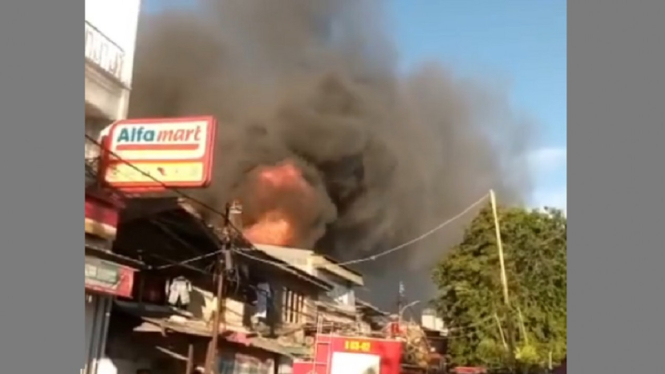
523, 41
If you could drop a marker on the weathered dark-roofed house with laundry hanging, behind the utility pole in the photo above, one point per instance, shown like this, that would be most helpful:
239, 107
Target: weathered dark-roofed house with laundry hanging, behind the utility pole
169, 322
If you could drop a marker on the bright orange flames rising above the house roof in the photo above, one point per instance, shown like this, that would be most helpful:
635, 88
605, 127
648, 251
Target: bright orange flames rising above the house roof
275, 185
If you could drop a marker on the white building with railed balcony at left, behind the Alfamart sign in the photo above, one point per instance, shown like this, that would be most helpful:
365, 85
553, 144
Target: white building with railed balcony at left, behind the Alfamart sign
110, 38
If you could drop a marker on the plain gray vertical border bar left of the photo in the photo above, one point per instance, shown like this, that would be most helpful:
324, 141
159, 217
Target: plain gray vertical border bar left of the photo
41, 199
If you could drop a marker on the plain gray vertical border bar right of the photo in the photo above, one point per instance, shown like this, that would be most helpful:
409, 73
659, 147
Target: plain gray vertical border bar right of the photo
616, 109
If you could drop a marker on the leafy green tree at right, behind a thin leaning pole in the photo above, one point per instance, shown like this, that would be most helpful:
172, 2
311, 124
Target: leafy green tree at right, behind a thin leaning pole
470, 296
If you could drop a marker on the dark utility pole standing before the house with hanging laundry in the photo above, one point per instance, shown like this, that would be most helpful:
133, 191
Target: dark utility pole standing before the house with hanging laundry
223, 263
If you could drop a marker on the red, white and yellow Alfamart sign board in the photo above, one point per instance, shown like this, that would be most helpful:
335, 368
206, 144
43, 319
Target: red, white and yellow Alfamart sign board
151, 154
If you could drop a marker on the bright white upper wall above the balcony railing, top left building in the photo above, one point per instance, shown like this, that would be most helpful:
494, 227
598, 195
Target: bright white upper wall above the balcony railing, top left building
118, 20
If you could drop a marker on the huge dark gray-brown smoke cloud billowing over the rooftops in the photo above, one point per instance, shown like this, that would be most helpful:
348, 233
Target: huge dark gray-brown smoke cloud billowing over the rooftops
387, 155
